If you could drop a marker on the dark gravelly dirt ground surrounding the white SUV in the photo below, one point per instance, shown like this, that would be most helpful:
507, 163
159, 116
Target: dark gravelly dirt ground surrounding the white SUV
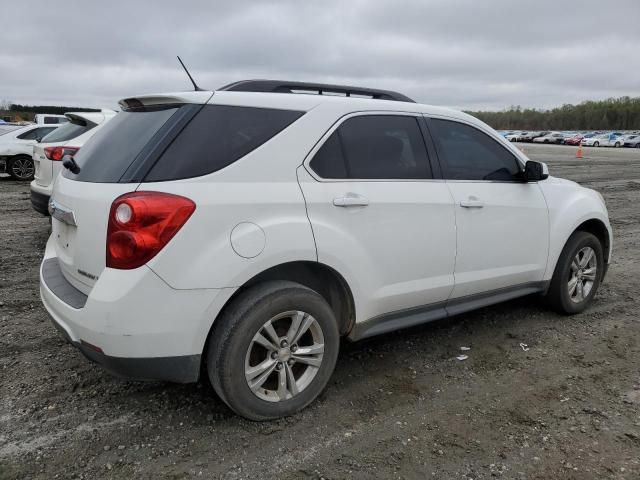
565, 406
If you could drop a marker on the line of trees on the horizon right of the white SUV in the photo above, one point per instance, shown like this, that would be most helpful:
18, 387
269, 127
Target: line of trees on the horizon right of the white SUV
611, 114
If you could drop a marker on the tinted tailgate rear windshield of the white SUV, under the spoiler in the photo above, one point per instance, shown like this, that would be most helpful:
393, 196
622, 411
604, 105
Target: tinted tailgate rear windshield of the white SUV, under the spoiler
109, 153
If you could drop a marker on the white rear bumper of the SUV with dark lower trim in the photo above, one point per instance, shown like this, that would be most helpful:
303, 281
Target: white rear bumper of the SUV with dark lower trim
131, 322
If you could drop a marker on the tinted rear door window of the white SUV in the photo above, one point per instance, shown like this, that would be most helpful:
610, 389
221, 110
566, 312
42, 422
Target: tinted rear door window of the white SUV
374, 147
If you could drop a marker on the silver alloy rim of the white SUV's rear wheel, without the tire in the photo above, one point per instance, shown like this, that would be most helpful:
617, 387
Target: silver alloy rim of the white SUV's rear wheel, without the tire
284, 356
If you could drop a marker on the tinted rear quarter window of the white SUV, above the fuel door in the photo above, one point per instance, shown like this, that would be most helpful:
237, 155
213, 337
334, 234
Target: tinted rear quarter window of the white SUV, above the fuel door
216, 137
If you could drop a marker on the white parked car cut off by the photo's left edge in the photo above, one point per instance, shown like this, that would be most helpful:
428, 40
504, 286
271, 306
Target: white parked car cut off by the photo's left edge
16, 149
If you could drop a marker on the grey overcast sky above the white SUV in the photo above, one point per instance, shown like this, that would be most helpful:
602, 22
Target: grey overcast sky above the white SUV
467, 54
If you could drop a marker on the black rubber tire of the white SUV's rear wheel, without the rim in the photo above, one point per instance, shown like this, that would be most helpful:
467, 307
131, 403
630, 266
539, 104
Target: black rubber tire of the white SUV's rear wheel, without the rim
231, 358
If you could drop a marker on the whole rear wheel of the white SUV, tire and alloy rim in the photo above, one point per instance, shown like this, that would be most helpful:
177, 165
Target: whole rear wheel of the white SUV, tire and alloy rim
237, 350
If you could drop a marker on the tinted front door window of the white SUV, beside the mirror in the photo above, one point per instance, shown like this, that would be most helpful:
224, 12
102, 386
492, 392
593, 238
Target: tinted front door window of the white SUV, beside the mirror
466, 153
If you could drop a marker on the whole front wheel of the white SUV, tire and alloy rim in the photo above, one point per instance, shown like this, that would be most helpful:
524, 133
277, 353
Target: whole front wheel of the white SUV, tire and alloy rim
561, 296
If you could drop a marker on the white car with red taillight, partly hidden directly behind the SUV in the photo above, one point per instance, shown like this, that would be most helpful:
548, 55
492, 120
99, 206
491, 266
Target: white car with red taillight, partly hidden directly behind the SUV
50, 152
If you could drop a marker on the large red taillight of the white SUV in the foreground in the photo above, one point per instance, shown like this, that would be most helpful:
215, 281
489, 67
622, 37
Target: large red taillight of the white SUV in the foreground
141, 224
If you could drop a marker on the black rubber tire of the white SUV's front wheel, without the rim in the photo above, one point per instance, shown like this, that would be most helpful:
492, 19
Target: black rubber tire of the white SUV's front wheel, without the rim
576, 243
